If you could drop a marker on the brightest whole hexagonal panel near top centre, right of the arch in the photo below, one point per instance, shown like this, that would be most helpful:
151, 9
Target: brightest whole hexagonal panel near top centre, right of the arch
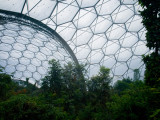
85, 17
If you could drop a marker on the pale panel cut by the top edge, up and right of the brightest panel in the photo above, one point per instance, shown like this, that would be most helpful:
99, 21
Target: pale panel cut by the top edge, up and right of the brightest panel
107, 6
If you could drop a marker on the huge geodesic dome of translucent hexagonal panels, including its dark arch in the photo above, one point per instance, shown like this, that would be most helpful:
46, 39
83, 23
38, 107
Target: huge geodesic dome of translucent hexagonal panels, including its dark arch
99, 32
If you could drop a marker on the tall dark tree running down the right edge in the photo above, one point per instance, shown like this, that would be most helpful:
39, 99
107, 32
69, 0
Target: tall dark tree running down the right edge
151, 21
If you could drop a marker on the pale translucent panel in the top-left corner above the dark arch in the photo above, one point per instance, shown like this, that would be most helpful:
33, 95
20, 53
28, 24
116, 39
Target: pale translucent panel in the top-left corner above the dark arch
12, 5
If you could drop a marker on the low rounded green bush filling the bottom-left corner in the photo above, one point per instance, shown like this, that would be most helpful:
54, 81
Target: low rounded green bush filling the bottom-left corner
22, 107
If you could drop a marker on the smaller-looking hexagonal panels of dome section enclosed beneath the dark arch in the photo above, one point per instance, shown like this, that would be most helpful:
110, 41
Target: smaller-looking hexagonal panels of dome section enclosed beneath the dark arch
24, 55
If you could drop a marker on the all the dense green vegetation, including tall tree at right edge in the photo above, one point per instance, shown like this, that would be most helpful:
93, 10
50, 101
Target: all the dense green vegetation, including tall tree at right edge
65, 94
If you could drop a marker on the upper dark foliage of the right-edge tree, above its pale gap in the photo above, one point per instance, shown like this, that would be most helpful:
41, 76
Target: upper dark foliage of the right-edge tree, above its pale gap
151, 21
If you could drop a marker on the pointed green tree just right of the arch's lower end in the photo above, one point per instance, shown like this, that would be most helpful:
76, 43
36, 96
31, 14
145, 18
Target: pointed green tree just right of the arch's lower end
99, 85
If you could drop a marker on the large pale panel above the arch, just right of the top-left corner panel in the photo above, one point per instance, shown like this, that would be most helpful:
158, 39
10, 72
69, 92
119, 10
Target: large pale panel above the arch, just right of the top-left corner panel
44, 5
